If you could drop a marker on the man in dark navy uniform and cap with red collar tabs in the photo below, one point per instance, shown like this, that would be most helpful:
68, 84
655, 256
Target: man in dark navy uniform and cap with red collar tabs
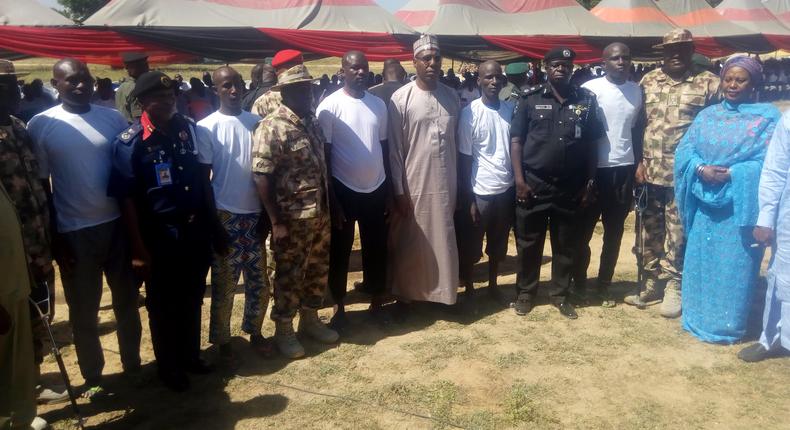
167, 207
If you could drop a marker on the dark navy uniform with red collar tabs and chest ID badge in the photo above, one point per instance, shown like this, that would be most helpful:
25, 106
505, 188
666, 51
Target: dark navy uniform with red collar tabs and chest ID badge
160, 171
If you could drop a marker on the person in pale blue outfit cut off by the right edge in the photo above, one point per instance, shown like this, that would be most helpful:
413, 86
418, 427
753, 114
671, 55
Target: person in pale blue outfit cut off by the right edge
773, 227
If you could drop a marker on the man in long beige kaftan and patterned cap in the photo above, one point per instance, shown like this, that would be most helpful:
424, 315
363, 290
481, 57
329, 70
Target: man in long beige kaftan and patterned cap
423, 116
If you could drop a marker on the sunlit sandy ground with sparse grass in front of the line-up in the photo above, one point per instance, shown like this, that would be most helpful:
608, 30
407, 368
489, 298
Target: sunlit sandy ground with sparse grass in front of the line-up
481, 368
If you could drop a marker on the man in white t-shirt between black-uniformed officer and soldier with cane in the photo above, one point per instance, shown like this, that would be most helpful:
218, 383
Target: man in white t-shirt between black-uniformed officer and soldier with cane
619, 151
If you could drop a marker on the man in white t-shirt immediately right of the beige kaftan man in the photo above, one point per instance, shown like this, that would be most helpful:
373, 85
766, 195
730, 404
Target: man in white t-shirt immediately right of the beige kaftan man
487, 194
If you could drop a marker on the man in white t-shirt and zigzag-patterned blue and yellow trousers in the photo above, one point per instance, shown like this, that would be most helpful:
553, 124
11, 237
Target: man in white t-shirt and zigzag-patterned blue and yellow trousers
230, 132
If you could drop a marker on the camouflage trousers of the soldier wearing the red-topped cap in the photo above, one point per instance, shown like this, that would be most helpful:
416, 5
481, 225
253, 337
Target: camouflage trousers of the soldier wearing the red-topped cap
302, 261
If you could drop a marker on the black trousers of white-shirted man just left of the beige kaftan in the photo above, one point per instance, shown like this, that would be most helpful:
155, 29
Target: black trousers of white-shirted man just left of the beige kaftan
367, 209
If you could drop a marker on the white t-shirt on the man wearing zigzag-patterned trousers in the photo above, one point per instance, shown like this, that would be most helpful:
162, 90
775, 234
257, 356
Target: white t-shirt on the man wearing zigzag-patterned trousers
230, 155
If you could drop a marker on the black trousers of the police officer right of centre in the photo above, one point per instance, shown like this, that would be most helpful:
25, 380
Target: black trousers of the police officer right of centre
557, 212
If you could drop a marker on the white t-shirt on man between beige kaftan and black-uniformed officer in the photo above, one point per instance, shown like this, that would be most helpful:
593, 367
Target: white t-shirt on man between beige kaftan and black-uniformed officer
484, 134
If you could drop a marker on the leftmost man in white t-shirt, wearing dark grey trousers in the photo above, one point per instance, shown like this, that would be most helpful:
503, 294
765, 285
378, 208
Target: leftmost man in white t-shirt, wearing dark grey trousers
73, 146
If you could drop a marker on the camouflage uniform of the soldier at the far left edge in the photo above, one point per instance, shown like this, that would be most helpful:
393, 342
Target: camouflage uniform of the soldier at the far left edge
18, 174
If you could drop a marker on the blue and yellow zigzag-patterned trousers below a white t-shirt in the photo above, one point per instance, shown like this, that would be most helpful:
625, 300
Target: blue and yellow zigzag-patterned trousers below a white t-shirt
246, 255
